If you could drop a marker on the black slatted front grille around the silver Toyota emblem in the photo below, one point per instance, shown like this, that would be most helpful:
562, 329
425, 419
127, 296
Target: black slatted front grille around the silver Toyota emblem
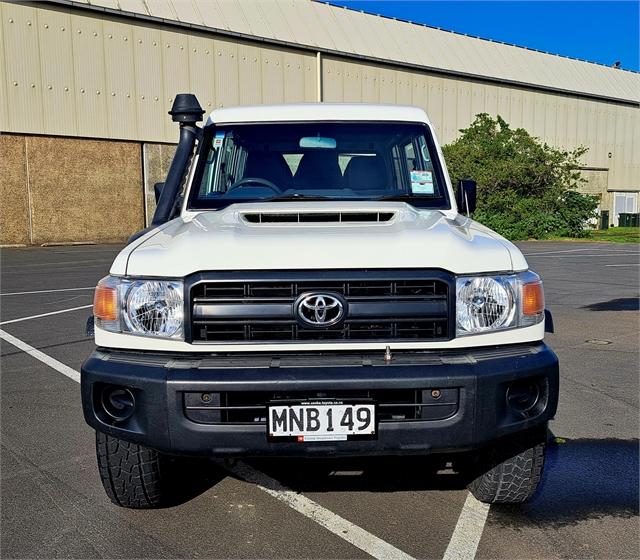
263, 310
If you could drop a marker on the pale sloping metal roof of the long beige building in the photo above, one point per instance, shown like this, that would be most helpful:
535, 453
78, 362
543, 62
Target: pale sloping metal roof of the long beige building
342, 31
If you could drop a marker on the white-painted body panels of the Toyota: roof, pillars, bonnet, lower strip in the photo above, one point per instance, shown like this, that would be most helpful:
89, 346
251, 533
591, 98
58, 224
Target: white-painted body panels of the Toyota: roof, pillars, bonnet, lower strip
224, 240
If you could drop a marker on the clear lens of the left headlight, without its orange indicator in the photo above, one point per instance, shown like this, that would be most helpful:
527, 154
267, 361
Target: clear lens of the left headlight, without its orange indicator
155, 307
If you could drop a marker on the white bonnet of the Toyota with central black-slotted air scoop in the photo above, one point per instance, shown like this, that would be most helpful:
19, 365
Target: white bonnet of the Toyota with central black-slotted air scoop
225, 240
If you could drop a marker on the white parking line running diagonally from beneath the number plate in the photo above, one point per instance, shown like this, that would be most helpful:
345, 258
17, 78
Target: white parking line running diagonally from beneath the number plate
365, 541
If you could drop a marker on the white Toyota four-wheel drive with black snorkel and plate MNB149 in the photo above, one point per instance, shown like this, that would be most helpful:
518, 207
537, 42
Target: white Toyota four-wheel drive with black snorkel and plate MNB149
310, 287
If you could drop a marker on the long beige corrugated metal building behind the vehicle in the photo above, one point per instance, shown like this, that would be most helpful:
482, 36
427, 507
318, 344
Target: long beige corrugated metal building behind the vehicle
85, 87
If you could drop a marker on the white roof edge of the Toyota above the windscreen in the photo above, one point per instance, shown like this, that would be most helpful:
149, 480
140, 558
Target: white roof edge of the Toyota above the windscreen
319, 112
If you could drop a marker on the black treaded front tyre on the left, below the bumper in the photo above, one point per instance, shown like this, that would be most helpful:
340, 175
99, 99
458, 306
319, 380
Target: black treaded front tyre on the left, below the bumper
132, 475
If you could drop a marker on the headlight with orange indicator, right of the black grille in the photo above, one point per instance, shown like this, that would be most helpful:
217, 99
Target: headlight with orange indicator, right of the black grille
489, 303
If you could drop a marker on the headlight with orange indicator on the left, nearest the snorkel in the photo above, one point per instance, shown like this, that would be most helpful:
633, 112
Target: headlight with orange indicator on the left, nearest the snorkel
145, 307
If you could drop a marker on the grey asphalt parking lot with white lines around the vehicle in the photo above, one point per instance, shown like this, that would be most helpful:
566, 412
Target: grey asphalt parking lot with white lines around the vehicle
53, 505
